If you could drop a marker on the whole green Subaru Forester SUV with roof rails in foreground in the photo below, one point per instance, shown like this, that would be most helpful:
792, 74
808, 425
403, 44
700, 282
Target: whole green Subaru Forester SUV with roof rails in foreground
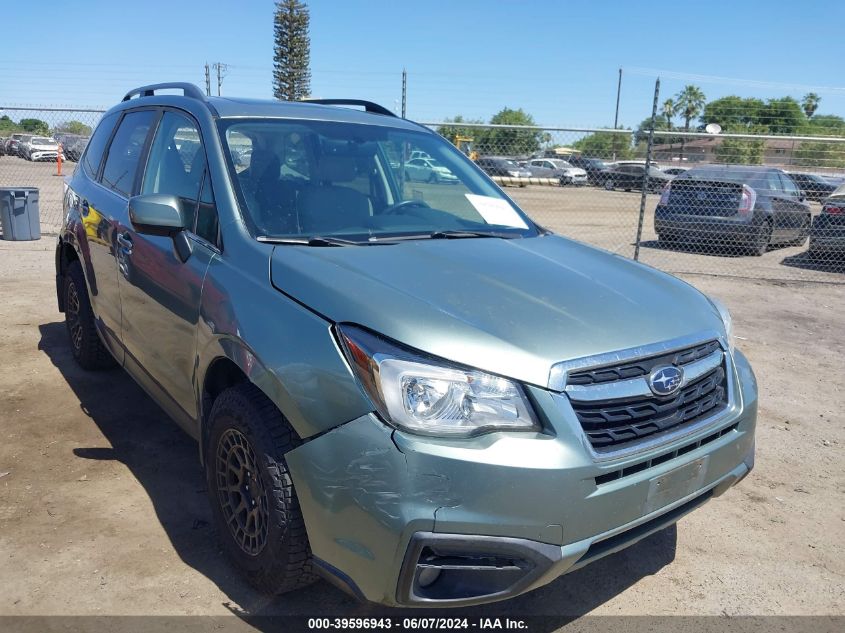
403, 385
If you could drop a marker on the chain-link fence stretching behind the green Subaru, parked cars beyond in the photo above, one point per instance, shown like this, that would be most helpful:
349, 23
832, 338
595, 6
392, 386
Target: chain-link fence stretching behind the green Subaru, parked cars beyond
747, 205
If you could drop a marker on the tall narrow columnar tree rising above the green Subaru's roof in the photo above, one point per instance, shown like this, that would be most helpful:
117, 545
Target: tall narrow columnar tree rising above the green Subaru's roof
292, 51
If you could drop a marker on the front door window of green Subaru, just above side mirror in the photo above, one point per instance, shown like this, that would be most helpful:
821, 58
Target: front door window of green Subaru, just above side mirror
177, 164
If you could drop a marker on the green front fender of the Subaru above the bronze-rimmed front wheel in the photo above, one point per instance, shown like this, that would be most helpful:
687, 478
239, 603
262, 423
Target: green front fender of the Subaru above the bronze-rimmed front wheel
286, 350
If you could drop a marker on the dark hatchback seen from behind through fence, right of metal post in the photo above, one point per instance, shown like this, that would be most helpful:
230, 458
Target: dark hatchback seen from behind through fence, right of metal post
752, 207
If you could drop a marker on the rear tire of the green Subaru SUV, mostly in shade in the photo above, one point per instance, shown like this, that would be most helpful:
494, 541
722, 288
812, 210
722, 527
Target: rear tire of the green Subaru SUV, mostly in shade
85, 344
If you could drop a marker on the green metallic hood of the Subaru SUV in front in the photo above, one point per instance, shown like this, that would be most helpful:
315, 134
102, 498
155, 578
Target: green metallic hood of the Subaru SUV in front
511, 307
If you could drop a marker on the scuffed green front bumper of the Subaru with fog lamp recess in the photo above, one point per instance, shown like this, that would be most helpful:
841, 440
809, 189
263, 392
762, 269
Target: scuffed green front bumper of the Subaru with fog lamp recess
408, 520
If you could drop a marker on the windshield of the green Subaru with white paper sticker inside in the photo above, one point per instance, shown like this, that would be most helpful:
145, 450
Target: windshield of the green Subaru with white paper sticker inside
299, 180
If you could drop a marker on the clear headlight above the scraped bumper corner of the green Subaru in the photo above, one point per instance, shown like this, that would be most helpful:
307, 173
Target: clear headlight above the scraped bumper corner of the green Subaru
430, 396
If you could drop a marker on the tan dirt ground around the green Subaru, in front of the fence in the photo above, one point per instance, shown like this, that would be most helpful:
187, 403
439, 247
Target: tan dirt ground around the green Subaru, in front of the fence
103, 508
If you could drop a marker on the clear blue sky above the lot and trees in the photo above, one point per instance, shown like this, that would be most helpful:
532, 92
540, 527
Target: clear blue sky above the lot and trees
556, 59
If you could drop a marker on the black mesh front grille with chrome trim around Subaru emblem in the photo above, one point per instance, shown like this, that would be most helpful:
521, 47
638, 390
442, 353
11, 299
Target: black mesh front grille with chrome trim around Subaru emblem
617, 422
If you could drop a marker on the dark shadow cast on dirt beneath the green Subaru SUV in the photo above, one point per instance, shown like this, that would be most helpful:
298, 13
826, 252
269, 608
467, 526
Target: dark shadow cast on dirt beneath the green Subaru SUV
165, 462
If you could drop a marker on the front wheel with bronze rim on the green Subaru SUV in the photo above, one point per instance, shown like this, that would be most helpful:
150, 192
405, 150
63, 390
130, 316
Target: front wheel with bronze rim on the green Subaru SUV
270, 548
